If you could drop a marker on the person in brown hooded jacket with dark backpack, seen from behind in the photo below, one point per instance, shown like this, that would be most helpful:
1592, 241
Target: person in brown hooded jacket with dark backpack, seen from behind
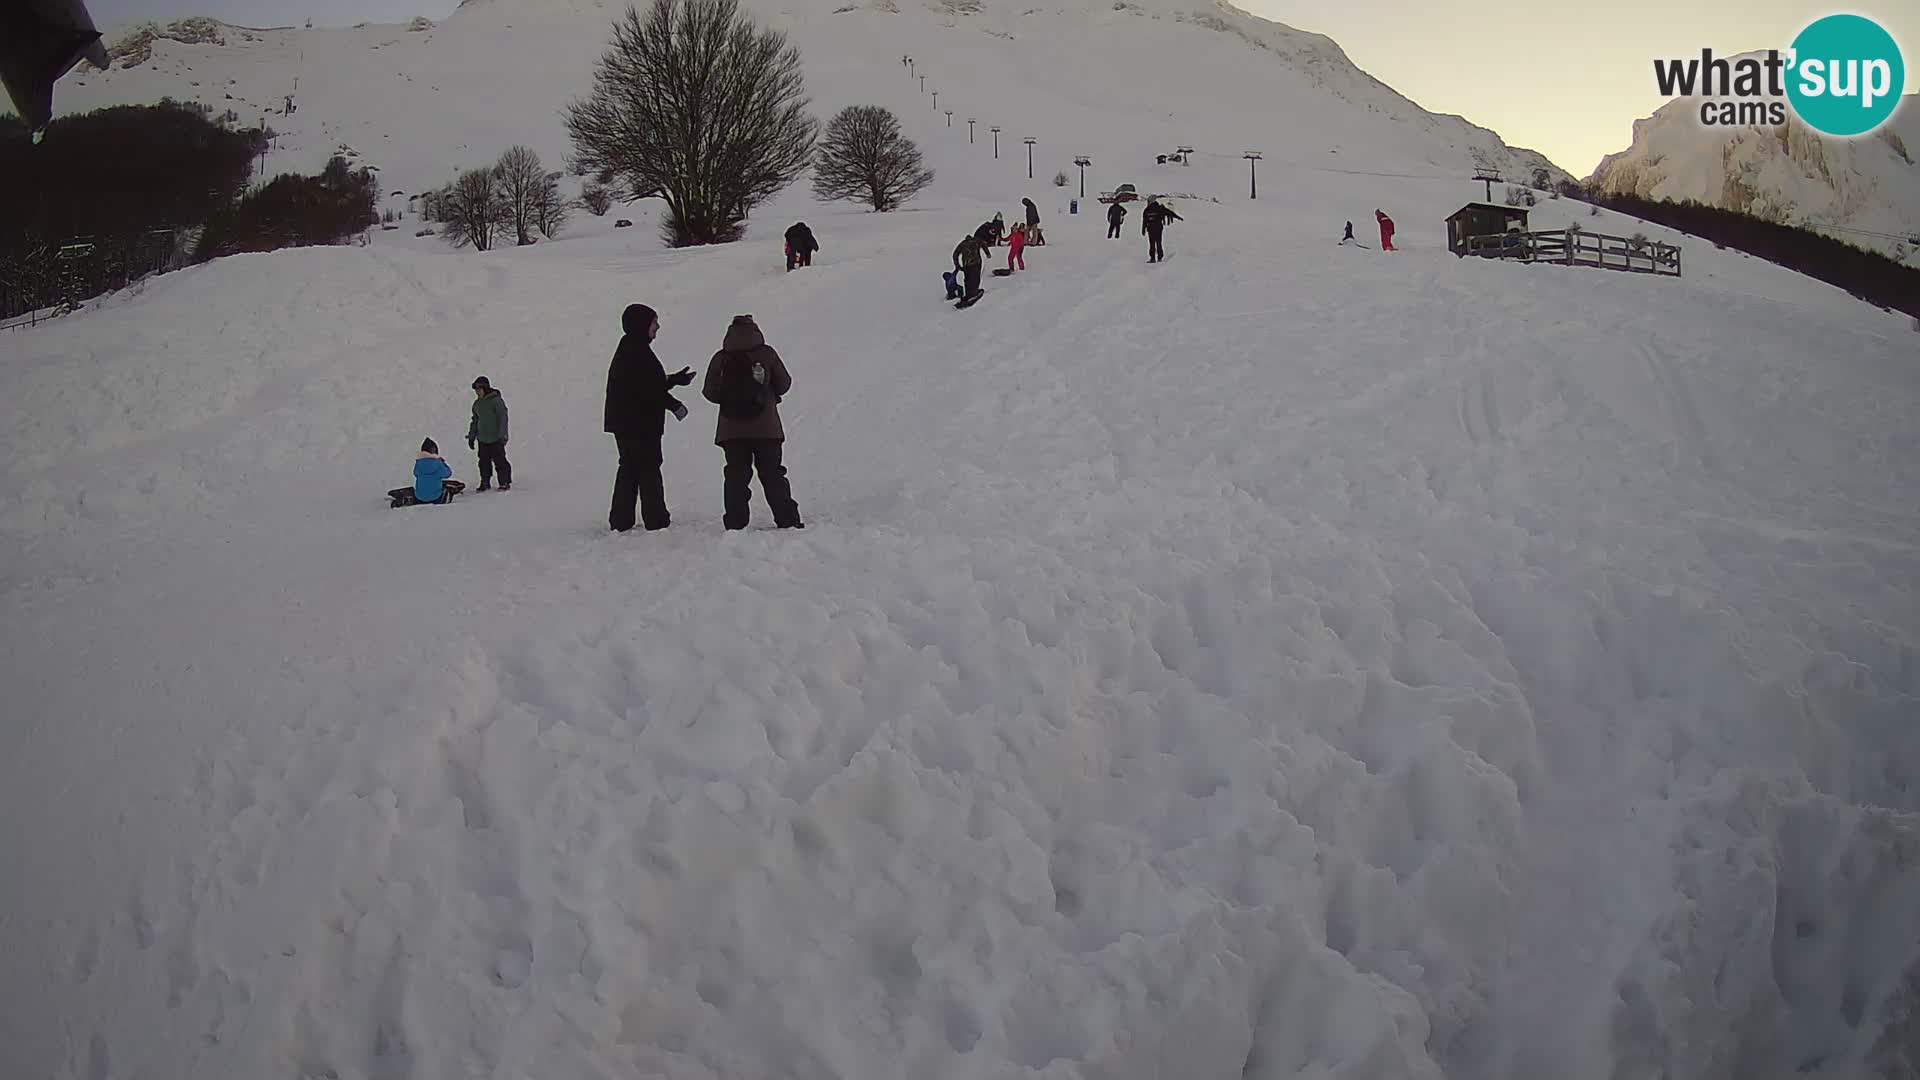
748, 380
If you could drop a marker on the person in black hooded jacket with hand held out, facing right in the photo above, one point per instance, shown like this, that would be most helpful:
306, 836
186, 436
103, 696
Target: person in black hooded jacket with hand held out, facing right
638, 403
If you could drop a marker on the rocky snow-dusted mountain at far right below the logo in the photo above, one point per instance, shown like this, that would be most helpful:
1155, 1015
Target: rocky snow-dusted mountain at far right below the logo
1863, 191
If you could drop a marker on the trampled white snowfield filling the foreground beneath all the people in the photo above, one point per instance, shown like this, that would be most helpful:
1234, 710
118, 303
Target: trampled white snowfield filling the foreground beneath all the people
1284, 662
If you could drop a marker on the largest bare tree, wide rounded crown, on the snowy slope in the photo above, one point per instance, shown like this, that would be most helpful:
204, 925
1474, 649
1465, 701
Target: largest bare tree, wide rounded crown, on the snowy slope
698, 105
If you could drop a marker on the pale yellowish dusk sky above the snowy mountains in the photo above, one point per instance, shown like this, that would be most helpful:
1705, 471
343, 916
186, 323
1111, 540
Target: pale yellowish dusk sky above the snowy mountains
1550, 78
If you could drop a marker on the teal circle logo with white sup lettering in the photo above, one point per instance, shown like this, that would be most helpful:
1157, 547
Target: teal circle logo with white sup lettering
1846, 76
